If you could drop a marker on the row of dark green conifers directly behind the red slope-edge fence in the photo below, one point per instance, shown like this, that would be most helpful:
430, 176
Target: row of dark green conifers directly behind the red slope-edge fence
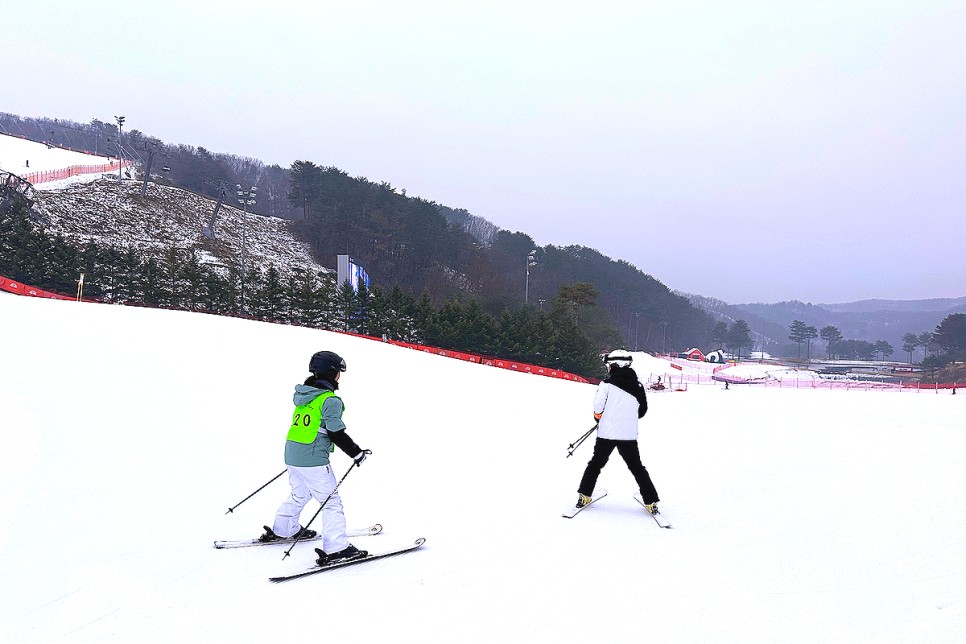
554, 338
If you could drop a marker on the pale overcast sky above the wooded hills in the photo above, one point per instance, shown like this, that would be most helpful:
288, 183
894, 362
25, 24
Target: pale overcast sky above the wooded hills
749, 151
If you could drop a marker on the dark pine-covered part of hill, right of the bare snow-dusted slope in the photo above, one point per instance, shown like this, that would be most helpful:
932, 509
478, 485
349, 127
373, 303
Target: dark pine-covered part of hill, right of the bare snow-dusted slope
407, 241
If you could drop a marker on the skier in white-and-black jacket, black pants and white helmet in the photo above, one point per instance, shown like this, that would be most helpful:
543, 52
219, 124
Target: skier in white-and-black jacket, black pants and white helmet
618, 405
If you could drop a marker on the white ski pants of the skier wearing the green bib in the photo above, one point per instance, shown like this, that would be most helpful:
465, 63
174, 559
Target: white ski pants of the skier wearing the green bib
317, 483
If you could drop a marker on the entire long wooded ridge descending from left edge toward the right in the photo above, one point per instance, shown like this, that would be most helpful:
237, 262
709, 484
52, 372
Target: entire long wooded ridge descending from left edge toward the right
416, 245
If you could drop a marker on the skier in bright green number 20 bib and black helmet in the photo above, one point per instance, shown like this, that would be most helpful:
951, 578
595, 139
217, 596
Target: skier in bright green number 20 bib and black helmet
316, 430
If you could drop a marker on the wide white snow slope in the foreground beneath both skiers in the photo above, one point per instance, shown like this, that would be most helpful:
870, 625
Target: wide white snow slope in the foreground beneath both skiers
799, 515
